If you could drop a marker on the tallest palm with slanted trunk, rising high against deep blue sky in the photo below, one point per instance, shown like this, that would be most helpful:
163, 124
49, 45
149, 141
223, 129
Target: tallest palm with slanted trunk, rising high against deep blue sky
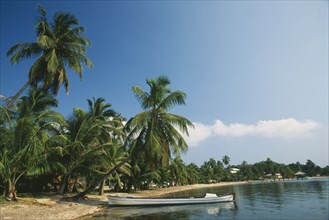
59, 45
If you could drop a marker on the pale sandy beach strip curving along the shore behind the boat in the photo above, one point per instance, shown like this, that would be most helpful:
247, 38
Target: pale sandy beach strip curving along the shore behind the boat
53, 208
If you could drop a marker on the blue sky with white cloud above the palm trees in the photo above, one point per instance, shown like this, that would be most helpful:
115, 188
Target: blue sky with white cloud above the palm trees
255, 73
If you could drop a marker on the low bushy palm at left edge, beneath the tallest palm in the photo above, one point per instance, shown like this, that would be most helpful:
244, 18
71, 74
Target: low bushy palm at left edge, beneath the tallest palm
24, 135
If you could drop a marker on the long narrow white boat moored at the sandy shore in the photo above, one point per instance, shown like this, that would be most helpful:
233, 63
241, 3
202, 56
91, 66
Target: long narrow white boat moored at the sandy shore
133, 201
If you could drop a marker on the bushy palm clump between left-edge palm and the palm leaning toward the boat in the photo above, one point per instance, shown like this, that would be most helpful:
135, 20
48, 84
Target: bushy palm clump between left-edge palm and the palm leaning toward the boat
90, 142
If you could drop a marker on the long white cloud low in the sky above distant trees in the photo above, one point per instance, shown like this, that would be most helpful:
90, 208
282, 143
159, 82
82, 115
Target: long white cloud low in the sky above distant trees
284, 128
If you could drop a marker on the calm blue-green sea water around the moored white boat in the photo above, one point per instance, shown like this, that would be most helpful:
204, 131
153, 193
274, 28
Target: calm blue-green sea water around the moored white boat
302, 199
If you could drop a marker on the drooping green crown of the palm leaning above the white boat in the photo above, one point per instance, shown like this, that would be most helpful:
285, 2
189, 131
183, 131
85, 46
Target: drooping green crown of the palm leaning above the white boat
155, 127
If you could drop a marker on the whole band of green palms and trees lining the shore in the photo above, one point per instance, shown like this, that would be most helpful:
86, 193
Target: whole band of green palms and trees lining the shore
42, 150
